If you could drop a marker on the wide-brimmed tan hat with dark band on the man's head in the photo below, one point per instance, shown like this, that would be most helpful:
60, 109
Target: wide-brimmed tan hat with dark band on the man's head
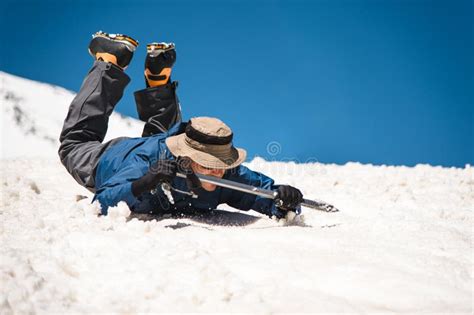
208, 142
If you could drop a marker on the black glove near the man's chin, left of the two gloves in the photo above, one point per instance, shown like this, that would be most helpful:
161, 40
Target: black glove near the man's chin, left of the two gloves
161, 171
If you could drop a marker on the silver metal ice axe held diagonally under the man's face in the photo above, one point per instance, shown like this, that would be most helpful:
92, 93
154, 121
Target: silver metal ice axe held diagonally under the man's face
265, 193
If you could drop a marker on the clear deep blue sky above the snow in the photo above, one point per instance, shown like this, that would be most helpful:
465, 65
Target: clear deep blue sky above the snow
382, 82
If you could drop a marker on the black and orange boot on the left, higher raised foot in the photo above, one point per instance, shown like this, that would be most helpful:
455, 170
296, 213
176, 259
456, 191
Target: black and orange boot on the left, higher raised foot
114, 48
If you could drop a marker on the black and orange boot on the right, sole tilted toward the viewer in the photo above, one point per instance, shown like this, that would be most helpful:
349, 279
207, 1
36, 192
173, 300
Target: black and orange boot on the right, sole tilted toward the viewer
159, 60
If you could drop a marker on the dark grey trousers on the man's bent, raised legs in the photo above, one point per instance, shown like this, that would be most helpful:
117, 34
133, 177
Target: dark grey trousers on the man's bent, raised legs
87, 120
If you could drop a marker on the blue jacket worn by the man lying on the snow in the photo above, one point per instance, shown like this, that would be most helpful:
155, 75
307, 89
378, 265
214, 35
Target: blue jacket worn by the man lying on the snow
130, 159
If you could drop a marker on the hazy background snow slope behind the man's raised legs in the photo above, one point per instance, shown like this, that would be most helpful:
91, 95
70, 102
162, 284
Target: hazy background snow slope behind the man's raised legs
33, 113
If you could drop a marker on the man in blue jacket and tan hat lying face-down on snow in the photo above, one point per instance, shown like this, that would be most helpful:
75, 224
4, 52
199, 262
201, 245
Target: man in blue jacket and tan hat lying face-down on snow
132, 169
